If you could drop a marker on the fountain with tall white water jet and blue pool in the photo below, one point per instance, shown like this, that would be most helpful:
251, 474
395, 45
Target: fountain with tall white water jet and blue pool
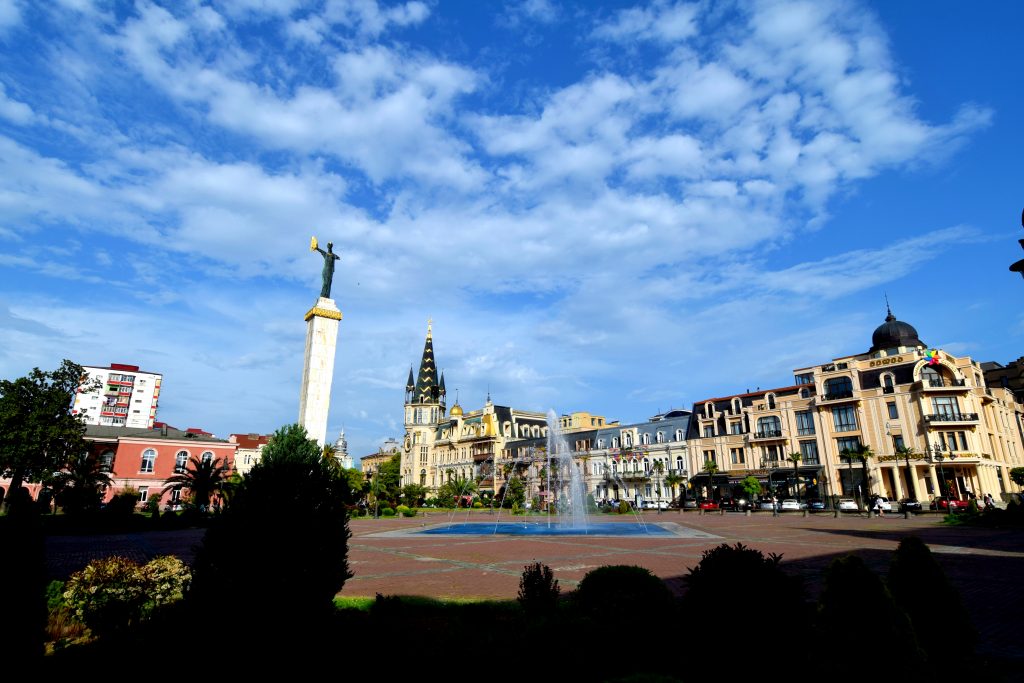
568, 492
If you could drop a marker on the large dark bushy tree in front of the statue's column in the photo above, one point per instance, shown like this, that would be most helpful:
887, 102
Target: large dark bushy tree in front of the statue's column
281, 547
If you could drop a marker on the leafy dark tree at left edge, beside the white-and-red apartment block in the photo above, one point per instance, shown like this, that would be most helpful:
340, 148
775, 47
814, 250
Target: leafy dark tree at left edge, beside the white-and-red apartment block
38, 432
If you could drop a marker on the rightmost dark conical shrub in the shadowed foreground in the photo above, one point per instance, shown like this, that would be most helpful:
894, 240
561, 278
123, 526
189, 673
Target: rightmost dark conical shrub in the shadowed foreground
920, 587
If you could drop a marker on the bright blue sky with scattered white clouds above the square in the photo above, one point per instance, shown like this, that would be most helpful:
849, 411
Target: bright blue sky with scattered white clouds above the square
608, 207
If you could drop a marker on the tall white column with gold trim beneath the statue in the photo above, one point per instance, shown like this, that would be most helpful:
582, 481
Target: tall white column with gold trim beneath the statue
318, 370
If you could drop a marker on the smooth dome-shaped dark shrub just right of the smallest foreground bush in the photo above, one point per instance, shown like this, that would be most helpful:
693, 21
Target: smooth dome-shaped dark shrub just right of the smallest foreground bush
616, 592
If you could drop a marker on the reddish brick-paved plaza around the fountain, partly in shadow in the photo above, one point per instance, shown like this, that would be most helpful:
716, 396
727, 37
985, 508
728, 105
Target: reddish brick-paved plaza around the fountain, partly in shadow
389, 557
